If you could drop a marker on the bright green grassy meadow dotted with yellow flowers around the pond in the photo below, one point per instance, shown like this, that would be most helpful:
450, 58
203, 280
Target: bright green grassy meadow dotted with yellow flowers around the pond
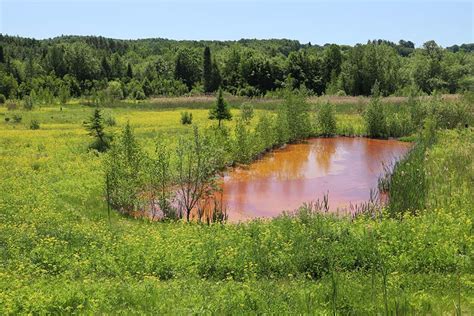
60, 253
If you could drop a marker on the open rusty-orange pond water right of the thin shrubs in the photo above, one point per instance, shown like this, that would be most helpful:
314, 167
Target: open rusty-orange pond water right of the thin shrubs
345, 168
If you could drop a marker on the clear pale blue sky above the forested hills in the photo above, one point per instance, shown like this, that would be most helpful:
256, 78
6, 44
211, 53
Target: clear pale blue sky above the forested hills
318, 22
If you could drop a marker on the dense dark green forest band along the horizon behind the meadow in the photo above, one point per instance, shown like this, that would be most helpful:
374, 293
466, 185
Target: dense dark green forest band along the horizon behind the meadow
91, 66
